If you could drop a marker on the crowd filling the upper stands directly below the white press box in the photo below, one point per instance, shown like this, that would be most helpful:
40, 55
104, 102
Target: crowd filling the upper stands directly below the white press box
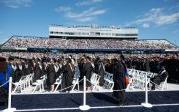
25, 42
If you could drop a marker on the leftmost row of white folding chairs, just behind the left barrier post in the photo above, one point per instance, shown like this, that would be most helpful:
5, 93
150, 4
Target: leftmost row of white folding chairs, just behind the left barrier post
23, 83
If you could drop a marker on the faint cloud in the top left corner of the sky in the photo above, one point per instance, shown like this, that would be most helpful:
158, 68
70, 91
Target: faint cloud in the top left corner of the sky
17, 3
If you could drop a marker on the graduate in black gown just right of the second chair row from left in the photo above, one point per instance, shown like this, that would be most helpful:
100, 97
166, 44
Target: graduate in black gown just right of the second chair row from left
51, 75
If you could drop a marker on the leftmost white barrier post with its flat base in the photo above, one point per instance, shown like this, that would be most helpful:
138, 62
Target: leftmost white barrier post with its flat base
9, 109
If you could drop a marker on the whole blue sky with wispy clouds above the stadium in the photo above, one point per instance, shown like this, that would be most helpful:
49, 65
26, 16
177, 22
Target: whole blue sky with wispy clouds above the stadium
155, 19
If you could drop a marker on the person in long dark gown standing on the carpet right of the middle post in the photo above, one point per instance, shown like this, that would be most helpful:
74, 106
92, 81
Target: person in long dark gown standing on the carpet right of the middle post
118, 78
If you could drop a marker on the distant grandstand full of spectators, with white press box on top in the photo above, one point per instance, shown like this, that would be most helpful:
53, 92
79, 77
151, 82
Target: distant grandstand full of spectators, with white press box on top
91, 37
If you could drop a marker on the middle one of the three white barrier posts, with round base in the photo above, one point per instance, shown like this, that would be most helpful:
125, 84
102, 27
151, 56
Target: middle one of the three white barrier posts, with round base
84, 106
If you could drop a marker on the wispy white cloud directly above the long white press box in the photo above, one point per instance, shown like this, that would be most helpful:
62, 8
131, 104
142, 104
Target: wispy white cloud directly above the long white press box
84, 16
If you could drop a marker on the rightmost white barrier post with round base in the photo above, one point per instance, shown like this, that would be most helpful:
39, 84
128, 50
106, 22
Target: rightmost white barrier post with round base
146, 104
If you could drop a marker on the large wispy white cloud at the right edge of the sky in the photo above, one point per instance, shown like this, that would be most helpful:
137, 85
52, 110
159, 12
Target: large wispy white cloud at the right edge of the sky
158, 17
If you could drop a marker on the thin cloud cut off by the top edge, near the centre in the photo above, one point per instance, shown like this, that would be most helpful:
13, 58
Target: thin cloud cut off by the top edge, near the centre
87, 2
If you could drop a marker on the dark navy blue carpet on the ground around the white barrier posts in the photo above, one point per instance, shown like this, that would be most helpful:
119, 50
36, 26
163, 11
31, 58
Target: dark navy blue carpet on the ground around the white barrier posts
98, 99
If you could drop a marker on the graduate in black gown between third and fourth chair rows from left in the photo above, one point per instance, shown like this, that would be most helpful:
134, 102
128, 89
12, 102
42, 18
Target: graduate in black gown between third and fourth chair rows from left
68, 74
